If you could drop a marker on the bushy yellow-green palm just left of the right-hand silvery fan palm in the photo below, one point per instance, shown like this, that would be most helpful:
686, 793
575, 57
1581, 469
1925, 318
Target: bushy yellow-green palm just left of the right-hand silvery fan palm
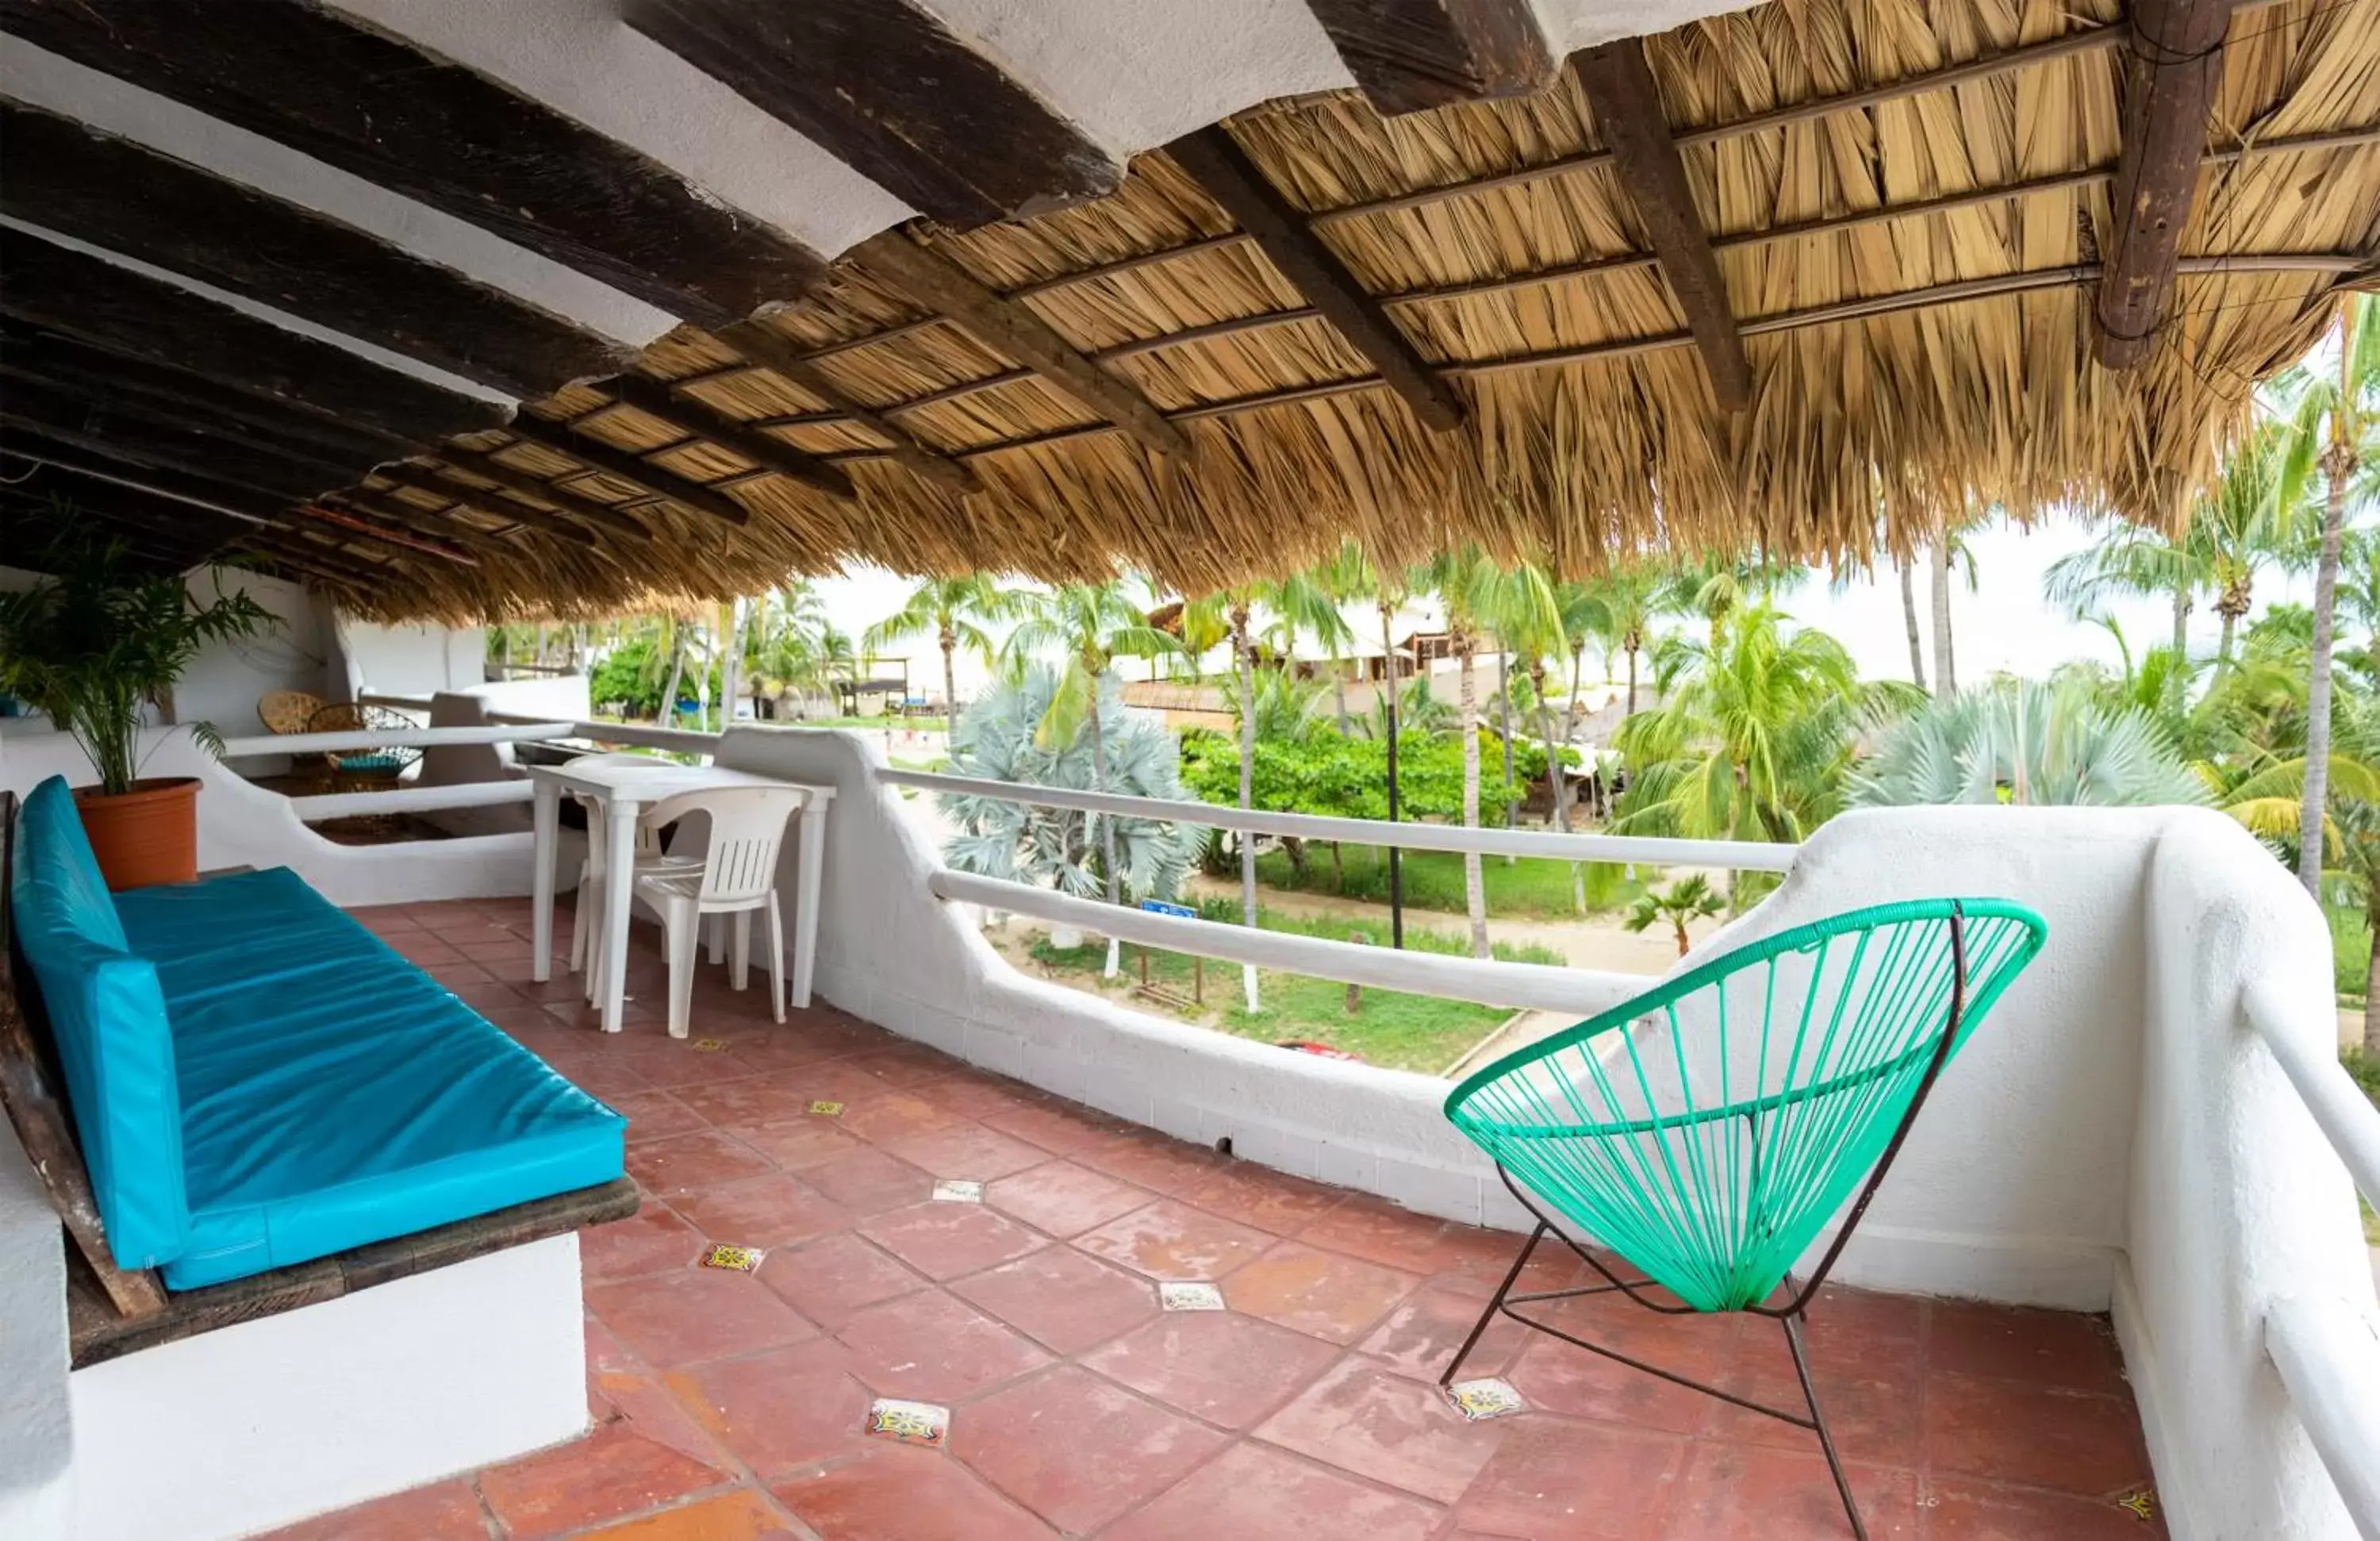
1753, 737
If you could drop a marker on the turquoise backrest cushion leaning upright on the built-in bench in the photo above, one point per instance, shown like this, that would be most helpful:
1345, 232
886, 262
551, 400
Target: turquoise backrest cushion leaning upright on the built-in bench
111, 1028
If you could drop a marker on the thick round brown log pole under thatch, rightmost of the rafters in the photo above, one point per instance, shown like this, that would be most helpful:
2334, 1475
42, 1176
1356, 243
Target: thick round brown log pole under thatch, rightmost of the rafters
2172, 70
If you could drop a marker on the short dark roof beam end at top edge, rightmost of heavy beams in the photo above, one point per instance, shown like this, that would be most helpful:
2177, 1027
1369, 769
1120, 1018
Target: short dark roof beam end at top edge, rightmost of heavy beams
1410, 56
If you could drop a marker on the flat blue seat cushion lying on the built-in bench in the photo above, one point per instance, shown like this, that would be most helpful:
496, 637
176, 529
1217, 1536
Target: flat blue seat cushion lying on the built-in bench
332, 1092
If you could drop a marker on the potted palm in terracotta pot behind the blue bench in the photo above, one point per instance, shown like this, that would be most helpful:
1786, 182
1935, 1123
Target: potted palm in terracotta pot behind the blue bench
92, 647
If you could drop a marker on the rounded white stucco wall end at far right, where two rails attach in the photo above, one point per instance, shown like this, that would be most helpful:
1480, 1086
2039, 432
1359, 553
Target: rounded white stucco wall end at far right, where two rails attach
2236, 1199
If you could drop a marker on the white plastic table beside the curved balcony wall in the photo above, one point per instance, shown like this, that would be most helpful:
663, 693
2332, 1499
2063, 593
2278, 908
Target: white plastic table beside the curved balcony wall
625, 792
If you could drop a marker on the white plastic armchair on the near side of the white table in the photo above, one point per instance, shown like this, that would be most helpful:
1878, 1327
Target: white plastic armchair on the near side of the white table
737, 878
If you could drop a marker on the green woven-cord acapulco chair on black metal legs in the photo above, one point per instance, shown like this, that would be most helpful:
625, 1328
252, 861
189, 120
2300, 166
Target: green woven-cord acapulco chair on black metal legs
1710, 1128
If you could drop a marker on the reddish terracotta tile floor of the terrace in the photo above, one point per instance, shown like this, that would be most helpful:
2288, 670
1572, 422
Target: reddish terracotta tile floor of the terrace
729, 1406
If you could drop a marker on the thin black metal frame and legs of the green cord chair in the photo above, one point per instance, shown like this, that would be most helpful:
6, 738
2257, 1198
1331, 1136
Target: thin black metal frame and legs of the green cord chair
1786, 1316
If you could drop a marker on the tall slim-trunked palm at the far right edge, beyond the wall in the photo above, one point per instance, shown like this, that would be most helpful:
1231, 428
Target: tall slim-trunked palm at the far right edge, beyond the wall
2334, 425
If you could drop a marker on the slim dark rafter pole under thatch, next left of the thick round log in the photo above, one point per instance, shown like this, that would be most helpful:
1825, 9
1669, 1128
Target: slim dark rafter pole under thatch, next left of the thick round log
1629, 113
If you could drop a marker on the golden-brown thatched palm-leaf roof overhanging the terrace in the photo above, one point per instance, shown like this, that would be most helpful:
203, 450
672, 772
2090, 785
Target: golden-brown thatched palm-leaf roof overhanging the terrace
1910, 204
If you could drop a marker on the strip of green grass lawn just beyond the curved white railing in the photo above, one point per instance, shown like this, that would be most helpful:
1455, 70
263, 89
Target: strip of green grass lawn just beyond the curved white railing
1403, 1032
